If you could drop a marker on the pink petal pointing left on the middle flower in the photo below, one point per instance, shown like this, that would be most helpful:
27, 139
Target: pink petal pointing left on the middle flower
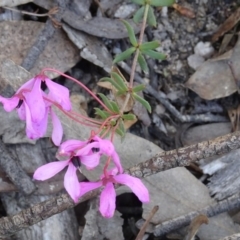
49, 170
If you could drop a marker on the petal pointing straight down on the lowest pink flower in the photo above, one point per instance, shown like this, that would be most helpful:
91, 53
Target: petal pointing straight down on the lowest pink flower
108, 201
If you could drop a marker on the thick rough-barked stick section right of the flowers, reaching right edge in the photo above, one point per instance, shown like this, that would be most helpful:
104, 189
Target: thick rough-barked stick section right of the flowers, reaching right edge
184, 156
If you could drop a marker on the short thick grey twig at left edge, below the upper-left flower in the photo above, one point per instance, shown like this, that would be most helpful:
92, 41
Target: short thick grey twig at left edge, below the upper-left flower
11, 167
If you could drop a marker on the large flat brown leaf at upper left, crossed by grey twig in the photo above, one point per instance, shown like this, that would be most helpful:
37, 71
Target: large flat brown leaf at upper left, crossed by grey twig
17, 37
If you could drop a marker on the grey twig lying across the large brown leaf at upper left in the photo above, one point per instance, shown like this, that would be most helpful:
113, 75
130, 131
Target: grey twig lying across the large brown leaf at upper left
44, 36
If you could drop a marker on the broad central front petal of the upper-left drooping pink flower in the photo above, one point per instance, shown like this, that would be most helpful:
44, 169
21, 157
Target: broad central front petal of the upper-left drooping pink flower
35, 102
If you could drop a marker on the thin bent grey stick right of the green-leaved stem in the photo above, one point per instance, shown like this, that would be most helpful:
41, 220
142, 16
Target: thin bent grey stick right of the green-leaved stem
198, 118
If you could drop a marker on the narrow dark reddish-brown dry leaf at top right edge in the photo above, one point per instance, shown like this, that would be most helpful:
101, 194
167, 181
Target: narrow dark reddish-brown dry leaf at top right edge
227, 25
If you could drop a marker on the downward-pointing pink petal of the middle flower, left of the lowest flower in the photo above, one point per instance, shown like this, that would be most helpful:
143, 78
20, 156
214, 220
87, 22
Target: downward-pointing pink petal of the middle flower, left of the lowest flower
71, 183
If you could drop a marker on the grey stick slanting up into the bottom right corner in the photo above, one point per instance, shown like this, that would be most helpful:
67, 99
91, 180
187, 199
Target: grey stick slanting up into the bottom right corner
210, 211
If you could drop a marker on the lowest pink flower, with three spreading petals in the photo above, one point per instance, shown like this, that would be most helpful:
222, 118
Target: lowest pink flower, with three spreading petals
108, 195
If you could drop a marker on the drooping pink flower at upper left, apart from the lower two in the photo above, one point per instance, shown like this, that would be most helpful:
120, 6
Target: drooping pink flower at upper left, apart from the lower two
33, 106
